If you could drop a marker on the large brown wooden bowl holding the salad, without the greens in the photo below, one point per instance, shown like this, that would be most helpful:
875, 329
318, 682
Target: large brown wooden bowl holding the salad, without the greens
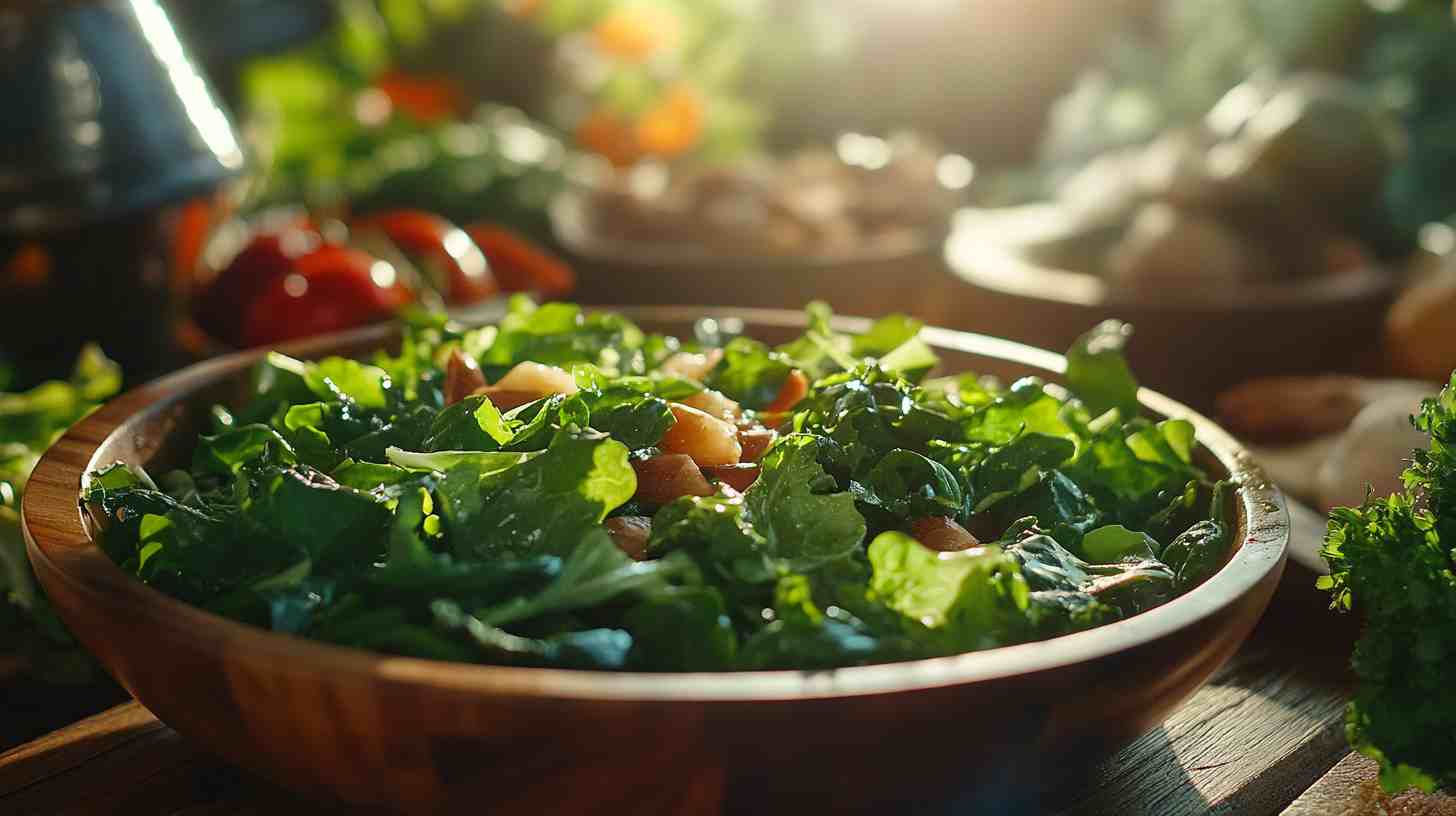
430, 737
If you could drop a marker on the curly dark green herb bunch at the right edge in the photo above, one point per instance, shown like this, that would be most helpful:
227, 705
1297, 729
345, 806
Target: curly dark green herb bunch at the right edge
1393, 562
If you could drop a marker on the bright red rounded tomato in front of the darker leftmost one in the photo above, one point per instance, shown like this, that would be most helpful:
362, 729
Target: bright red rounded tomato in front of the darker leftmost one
331, 289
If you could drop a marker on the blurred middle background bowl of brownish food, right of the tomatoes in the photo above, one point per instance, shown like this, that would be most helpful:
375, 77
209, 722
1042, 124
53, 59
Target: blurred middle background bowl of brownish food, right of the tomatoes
858, 227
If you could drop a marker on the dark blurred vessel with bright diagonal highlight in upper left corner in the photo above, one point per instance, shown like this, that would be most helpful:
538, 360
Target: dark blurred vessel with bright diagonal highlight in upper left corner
108, 132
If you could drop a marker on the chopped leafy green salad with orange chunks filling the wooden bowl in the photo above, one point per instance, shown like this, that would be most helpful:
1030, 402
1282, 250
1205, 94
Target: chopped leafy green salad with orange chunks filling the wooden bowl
627, 501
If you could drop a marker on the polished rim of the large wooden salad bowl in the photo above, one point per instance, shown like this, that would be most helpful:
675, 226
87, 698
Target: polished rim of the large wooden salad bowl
59, 535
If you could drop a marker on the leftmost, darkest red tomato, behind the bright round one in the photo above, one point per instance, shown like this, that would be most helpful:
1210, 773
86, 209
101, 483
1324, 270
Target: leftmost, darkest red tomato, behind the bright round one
222, 308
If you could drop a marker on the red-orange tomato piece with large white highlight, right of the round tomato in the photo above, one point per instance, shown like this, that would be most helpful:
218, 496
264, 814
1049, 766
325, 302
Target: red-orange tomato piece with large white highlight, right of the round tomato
443, 253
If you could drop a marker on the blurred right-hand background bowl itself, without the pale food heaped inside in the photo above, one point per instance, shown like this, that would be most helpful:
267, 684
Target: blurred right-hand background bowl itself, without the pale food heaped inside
1190, 342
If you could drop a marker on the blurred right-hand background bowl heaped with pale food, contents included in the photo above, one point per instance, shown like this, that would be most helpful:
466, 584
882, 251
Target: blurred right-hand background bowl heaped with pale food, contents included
1238, 247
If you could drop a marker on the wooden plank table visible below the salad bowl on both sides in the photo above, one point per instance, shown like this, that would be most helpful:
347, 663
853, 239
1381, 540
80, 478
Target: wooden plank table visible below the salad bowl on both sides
1266, 737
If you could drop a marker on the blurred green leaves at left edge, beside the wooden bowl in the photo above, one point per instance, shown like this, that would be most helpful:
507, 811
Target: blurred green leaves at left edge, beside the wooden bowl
30, 422
